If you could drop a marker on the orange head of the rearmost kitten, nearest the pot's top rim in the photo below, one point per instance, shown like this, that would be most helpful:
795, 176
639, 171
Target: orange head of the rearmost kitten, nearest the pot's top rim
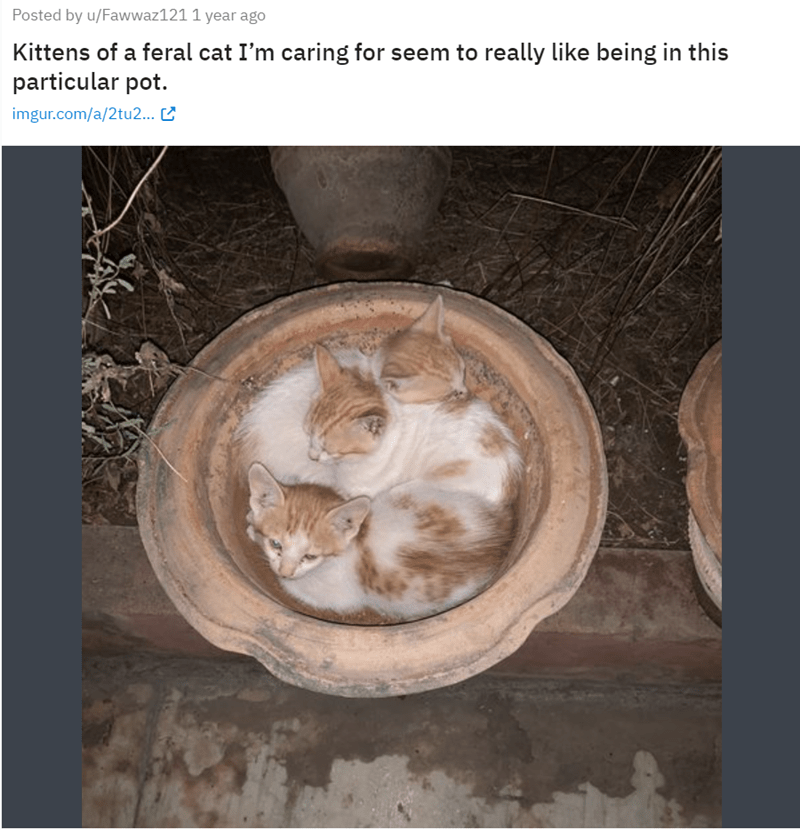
421, 364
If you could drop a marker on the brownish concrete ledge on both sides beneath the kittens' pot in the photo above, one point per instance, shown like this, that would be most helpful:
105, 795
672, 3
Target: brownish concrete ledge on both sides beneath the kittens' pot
637, 617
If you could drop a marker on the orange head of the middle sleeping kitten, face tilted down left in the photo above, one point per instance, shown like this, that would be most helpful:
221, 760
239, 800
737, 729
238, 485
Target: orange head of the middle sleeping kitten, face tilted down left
348, 415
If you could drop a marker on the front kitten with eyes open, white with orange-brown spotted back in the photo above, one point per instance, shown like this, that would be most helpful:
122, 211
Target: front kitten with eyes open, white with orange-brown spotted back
412, 551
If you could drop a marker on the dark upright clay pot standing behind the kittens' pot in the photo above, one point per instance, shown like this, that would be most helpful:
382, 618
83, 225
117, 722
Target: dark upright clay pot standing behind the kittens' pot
363, 209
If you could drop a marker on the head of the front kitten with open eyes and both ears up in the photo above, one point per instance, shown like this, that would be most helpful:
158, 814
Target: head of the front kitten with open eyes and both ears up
301, 526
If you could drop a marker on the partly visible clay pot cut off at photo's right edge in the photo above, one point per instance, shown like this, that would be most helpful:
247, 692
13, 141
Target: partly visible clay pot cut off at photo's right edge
700, 425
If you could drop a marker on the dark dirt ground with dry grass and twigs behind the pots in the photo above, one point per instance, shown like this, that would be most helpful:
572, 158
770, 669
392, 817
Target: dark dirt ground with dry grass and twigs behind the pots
612, 254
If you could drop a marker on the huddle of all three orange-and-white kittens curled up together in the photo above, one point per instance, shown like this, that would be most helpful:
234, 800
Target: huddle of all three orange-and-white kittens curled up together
388, 453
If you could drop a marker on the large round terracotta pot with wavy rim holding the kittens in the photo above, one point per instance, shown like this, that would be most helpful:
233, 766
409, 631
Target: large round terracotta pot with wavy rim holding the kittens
192, 510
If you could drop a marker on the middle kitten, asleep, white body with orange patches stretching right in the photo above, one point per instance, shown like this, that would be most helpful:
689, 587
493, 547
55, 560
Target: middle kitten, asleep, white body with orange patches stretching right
373, 442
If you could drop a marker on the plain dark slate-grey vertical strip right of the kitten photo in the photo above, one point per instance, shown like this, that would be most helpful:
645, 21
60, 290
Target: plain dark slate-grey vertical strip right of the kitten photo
761, 268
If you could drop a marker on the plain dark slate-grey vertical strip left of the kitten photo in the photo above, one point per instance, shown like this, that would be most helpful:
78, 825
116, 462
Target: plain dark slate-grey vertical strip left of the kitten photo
42, 491
